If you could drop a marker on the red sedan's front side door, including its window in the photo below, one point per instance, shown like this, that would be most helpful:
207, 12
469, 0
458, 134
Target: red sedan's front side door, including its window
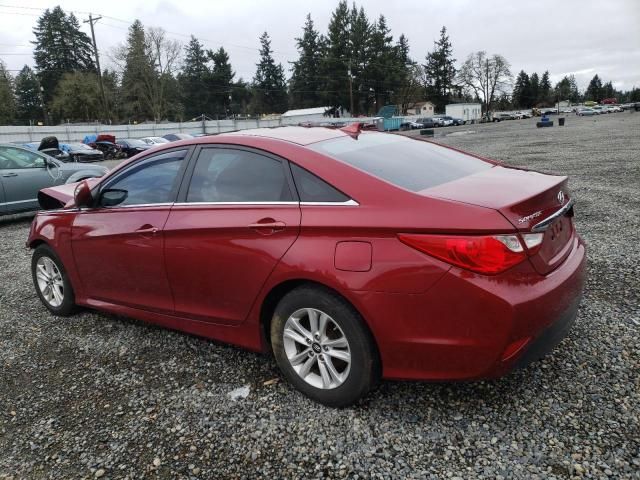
119, 249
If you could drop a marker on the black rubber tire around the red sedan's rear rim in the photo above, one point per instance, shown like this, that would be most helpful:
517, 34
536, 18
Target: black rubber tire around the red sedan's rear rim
364, 370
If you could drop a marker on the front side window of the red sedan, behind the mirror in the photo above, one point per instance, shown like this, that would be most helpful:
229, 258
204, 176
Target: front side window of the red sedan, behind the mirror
153, 180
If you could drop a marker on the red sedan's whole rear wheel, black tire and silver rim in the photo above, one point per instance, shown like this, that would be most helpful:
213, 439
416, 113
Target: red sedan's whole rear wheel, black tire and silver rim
322, 346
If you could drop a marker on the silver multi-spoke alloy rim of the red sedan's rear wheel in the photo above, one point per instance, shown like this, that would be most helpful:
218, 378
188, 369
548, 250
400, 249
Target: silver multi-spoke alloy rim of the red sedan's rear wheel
317, 348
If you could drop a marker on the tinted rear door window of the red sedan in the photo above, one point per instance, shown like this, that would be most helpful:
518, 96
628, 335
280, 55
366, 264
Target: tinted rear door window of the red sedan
229, 175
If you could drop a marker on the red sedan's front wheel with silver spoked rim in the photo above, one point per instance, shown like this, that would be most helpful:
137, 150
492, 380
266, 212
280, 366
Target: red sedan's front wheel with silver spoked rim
51, 282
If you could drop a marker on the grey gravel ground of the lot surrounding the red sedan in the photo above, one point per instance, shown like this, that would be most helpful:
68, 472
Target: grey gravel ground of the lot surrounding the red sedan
100, 396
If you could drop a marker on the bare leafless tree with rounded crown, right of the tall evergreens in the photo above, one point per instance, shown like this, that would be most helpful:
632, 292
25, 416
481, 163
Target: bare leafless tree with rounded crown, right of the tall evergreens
485, 76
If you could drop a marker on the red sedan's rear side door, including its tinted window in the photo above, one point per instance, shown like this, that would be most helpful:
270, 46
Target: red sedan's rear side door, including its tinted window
234, 220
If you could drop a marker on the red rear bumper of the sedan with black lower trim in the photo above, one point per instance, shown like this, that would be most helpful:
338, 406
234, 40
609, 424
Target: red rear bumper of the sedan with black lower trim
470, 326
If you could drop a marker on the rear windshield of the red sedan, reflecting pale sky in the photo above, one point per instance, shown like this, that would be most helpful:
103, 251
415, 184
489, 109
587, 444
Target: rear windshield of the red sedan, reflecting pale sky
411, 164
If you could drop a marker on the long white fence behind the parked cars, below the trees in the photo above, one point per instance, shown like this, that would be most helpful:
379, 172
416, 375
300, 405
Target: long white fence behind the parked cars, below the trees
76, 133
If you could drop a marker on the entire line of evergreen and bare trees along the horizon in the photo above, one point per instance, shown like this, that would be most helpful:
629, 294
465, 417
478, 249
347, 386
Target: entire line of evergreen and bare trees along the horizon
356, 66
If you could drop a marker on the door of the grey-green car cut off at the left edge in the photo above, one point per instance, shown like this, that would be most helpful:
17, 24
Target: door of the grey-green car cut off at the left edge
24, 173
